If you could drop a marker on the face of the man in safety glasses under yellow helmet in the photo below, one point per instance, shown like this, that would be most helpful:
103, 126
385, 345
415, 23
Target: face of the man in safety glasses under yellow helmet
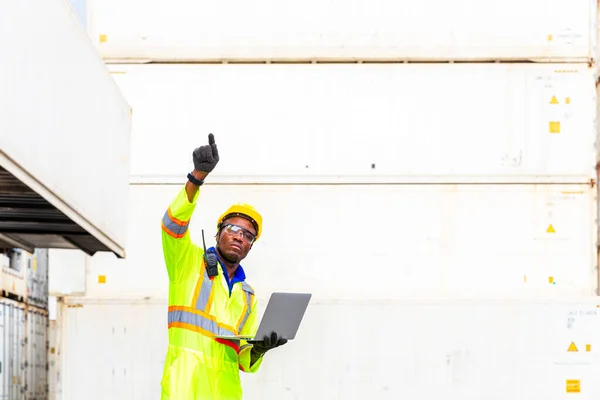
235, 243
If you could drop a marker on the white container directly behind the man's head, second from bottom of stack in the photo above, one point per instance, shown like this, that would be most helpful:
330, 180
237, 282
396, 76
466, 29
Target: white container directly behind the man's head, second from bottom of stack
429, 240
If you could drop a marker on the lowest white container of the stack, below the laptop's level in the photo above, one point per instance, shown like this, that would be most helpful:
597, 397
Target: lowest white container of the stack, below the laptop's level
356, 349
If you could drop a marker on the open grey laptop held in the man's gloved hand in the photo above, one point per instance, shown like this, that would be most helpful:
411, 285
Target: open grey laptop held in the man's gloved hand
283, 315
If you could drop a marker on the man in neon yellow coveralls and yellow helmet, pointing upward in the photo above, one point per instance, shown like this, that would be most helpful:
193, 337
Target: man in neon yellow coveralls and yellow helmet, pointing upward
207, 299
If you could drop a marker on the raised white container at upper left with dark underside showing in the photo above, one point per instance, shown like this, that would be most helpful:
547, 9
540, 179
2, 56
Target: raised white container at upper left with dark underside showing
64, 134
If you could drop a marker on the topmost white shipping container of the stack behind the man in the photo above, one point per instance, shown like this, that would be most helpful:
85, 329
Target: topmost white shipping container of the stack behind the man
190, 30
